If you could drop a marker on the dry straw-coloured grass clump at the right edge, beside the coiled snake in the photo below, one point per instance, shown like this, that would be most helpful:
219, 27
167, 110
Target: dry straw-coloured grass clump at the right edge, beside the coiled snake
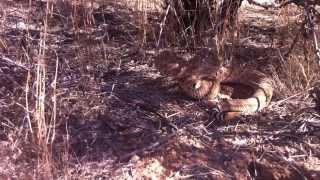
298, 59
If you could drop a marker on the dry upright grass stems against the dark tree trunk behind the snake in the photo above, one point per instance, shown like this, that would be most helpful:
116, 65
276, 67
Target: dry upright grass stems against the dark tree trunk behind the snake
194, 24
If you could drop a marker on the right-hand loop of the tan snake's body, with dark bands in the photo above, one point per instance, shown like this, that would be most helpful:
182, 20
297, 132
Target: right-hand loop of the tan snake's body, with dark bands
252, 91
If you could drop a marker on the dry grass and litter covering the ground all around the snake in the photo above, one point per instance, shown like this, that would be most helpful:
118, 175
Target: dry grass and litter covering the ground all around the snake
79, 97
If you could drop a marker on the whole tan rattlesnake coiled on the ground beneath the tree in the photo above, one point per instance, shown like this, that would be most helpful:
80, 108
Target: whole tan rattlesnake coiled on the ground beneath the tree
252, 89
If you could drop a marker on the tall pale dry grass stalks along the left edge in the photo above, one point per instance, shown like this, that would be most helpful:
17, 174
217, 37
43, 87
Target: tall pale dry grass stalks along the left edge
39, 24
